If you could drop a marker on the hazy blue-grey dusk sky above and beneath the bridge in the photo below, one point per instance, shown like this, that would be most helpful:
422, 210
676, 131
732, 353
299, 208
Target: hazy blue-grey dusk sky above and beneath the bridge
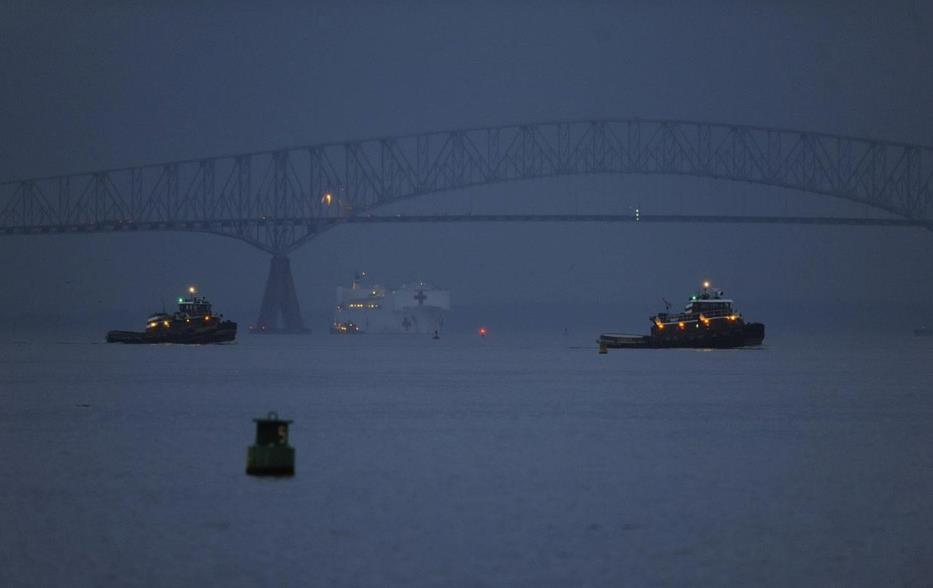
105, 84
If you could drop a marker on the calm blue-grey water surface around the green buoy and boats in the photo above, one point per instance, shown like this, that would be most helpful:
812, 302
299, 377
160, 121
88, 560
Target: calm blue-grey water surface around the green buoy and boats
467, 462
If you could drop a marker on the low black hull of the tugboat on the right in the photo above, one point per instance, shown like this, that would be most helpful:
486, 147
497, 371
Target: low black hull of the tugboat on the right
745, 335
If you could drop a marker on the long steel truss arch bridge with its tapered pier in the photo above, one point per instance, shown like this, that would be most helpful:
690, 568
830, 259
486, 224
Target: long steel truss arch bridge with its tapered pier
278, 200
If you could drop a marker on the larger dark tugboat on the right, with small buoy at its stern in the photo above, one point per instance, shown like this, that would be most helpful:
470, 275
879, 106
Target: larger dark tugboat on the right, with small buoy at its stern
708, 321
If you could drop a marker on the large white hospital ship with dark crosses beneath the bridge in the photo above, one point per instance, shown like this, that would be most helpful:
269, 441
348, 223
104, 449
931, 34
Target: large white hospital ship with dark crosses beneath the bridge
366, 307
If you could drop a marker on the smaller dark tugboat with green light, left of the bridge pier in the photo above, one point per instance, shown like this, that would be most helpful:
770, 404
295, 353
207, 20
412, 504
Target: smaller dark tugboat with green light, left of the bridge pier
194, 322
